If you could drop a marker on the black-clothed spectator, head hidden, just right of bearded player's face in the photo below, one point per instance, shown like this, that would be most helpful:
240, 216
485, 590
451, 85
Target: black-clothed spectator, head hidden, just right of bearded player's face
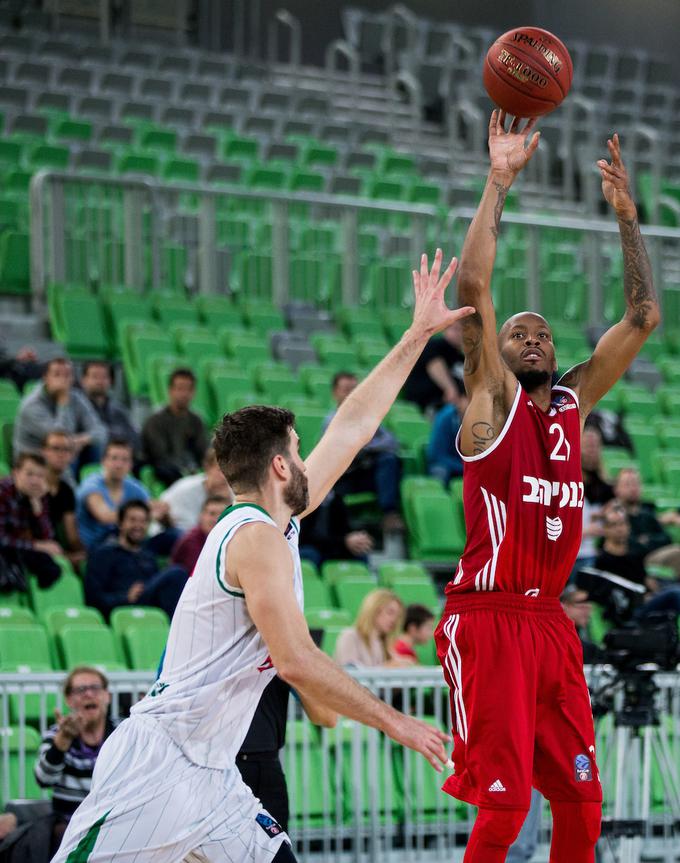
326, 534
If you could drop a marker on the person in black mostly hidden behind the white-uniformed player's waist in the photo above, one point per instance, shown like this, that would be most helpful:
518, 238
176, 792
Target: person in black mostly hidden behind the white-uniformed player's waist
258, 759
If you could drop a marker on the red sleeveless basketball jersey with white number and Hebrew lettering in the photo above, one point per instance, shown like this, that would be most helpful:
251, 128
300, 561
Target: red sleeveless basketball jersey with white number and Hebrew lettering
523, 500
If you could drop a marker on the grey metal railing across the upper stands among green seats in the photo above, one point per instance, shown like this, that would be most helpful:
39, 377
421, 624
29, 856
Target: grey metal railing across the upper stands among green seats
96, 230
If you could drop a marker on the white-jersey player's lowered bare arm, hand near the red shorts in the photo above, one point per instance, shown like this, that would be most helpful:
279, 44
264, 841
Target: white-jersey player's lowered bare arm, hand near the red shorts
259, 561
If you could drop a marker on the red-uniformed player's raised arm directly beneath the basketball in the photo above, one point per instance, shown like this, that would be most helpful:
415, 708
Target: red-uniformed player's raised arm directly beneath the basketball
488, 382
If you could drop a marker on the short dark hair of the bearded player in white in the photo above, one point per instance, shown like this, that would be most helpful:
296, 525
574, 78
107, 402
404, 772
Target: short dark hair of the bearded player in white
248, 439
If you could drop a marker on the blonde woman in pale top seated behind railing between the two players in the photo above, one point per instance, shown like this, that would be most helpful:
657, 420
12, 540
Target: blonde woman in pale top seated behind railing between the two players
370, 642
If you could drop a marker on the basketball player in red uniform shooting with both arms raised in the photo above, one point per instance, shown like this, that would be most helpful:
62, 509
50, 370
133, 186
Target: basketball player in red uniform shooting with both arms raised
510, 655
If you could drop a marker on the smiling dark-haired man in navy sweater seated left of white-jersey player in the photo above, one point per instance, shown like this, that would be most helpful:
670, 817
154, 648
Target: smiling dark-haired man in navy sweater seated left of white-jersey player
123, 572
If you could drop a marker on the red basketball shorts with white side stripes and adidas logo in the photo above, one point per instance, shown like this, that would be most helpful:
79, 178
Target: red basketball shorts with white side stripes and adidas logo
519, 701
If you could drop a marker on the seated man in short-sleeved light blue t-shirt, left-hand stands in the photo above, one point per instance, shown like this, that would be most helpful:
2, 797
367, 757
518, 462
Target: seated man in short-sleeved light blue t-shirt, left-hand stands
100, 497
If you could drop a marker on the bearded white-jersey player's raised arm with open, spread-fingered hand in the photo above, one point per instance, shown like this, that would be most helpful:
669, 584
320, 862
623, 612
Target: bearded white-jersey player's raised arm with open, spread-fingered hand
360, 414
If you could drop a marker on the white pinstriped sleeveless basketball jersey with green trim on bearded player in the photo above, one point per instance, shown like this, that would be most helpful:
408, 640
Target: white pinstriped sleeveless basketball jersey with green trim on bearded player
216, 663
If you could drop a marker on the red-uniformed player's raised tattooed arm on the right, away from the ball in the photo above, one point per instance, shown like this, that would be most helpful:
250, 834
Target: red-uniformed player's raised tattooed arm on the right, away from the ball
617, 348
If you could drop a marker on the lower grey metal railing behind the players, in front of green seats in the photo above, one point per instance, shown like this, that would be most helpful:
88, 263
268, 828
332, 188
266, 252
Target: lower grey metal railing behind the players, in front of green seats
354, 794
